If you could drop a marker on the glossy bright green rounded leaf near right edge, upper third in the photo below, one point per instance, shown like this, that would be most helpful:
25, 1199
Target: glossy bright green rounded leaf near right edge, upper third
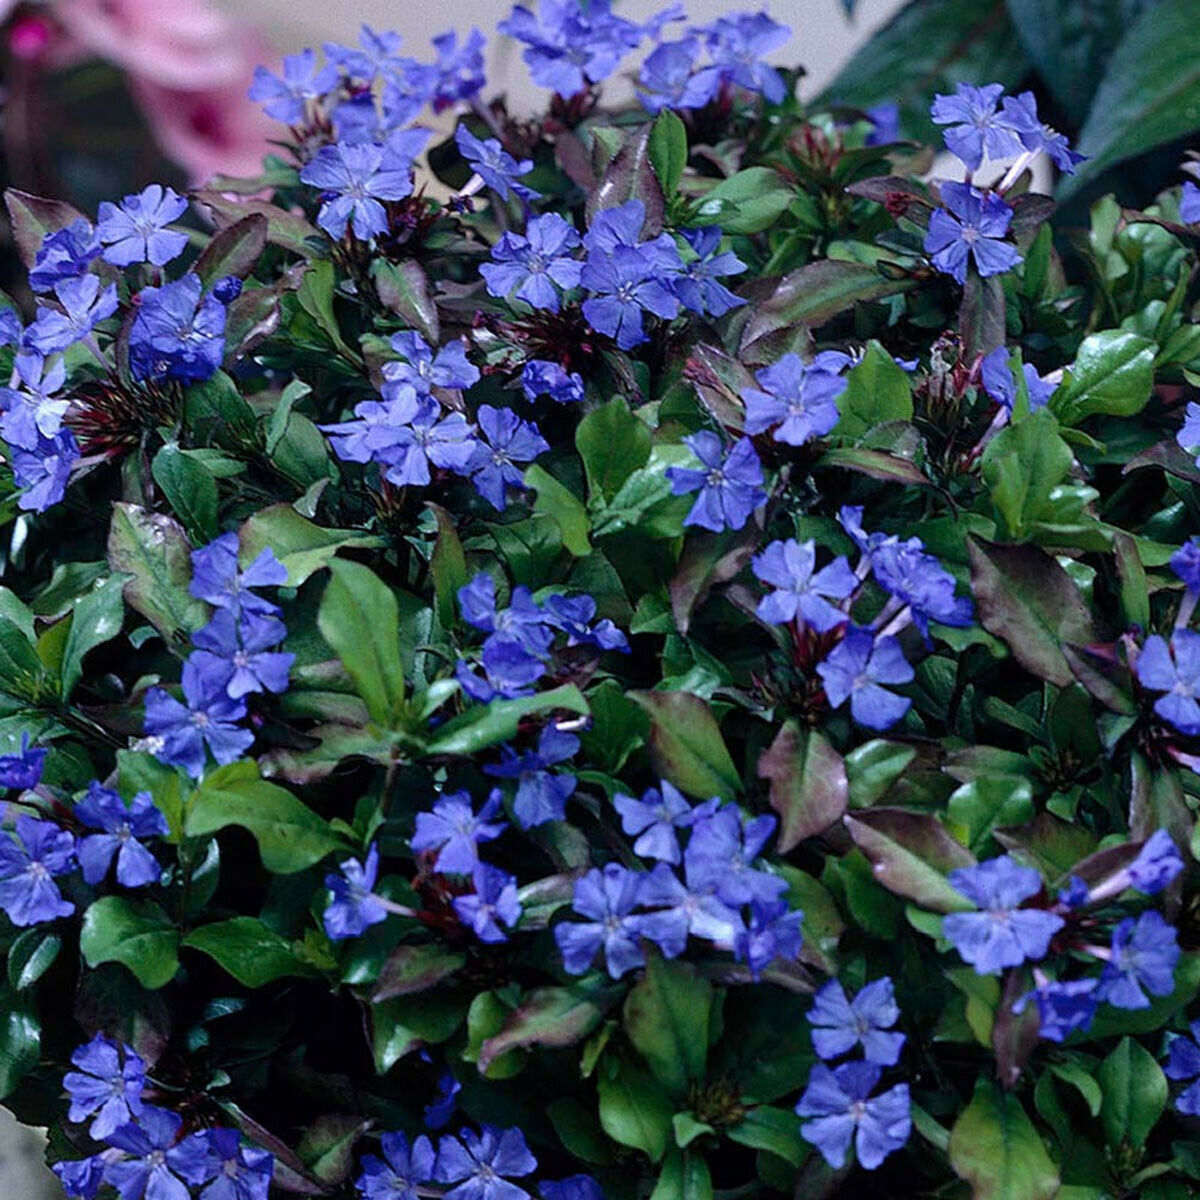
1113, 374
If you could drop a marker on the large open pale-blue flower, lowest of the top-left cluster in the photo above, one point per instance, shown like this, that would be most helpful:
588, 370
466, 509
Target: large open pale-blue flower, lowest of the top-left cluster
355, 181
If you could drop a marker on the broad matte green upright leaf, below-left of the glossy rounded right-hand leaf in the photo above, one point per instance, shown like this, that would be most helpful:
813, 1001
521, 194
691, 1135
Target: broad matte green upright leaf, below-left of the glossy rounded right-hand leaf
1022, 466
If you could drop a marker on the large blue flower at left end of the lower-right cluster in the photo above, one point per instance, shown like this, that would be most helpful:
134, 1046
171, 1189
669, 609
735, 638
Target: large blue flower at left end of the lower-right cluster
1001, 935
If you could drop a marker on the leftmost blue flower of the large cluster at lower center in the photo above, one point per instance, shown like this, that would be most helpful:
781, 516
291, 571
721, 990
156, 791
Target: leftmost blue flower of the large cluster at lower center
609, 897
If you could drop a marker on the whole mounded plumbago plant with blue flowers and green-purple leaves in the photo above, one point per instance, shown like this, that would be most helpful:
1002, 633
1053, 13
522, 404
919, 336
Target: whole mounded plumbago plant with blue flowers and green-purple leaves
669, 673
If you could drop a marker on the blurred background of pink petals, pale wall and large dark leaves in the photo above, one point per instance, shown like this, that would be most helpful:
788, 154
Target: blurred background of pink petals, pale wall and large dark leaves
100, 98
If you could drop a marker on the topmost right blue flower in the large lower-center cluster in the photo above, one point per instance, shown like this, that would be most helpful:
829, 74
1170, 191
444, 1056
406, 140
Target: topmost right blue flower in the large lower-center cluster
721, 855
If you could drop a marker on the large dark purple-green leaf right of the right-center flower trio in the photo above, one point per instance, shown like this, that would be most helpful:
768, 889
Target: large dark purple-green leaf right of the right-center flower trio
1028, 599
